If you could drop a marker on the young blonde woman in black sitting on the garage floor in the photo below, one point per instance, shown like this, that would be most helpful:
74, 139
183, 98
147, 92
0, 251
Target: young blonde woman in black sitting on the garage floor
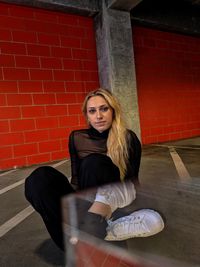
105, 156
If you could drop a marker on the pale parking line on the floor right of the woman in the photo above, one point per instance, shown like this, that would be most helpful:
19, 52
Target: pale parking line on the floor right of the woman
180, 167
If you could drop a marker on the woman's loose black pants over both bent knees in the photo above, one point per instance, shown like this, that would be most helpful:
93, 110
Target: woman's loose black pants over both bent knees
45, 187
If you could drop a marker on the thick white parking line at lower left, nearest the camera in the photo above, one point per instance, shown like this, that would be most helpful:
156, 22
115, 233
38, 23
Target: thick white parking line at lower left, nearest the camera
14, 221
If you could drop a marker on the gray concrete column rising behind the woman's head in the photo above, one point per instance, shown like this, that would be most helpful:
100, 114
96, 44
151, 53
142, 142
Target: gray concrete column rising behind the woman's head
116, 61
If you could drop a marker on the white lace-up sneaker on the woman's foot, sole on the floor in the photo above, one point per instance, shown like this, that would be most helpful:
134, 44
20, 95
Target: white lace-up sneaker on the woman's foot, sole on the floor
141, 223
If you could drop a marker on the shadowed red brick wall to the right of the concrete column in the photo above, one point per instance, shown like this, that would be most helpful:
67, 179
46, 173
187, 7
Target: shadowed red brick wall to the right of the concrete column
168, 83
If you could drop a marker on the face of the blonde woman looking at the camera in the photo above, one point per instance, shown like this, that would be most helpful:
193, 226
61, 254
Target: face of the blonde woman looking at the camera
99, 113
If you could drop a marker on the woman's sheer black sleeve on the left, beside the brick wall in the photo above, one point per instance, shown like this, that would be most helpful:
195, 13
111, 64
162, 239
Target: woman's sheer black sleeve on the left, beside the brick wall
75, 161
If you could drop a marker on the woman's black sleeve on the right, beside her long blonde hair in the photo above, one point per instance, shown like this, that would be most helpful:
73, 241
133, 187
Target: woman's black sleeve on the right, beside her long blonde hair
134, 149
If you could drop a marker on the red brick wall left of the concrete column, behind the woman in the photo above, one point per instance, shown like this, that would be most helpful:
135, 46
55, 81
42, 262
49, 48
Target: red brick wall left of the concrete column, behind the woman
47, 64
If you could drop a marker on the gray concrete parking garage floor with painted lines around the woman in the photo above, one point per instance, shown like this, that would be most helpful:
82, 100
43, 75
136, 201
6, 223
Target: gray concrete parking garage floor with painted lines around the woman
170, 183
